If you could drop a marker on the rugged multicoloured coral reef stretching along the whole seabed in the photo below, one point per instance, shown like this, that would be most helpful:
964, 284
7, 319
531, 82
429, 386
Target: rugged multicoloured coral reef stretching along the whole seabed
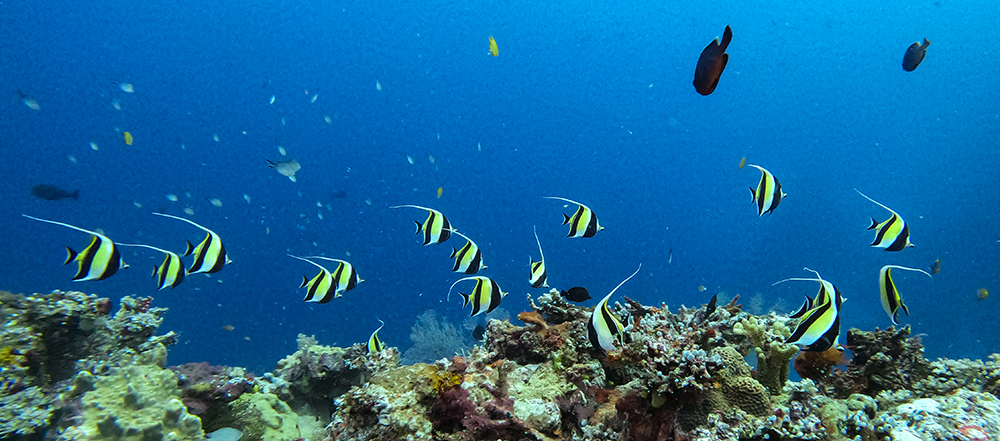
679, 375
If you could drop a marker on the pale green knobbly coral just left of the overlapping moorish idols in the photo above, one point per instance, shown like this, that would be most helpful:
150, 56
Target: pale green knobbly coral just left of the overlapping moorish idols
767, 335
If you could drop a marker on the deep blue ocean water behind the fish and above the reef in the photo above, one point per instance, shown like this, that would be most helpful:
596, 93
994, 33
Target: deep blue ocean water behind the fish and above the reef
591, 101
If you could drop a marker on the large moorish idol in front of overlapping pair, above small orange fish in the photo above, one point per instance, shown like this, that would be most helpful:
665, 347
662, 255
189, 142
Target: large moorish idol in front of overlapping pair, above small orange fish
819, 329
